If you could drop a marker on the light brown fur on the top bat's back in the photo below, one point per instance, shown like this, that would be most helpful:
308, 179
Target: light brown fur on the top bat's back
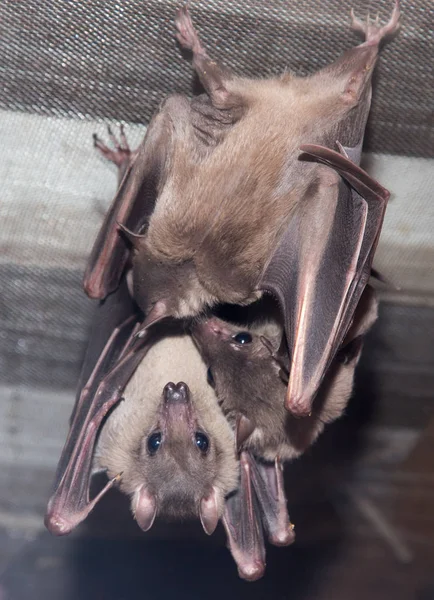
222, 210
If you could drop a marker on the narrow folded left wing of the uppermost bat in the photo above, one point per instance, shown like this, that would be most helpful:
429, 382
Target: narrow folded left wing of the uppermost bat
134, 201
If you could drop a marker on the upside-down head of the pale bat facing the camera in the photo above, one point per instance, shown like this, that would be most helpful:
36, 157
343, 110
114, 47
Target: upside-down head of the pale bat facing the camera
178, 462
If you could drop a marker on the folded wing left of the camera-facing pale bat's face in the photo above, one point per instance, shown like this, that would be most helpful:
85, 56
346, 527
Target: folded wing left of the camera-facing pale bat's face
120, 356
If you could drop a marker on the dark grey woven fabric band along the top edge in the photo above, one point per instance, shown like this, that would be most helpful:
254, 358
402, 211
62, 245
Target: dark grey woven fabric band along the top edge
116, 59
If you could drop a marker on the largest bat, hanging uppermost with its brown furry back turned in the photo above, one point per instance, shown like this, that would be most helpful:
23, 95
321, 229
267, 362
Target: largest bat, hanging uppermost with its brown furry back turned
225, 200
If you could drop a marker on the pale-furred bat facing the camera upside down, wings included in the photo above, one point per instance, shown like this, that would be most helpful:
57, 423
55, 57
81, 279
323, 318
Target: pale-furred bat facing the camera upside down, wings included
168, 446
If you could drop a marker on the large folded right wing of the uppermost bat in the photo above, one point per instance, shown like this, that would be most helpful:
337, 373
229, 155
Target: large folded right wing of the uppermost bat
321, 266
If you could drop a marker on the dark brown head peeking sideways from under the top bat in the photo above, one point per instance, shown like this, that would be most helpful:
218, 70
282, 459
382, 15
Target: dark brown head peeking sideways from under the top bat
247, 369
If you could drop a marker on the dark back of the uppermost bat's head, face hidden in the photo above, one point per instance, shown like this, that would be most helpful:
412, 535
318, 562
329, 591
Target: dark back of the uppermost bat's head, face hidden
163, 287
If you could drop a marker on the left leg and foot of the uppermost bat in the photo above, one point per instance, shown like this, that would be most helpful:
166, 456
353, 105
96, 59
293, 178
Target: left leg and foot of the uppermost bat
211, 74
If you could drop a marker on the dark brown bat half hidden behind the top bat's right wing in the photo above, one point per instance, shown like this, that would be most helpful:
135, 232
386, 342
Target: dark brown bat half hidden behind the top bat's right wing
247, 370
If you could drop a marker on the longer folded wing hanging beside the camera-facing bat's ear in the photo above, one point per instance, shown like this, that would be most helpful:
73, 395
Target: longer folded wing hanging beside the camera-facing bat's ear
243, 527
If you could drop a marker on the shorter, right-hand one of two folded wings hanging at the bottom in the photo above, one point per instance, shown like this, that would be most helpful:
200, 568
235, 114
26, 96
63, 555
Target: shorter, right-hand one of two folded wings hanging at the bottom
268, 483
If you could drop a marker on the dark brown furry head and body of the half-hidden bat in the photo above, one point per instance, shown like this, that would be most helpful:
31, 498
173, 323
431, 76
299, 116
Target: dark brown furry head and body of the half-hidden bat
247, 380
